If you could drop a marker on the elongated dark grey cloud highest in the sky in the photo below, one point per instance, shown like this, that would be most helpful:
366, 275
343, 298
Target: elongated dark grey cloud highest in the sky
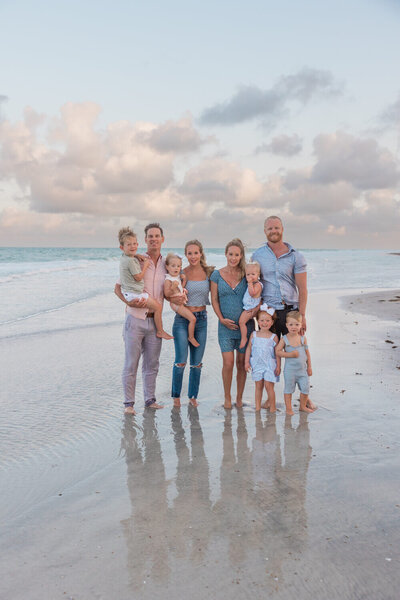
251, 102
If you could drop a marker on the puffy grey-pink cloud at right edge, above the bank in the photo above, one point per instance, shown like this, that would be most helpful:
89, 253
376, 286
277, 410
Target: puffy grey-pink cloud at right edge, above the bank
361, 162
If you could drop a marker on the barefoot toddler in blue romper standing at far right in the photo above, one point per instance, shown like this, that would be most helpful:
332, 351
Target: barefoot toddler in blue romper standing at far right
293, 348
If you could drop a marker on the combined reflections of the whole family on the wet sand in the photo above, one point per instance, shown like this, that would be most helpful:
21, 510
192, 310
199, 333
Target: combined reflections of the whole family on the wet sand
259, 521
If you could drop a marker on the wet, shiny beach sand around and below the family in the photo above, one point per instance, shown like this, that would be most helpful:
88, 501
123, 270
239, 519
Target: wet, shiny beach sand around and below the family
204, 503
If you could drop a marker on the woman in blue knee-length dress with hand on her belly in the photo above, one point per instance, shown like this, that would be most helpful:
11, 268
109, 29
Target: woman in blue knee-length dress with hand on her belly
228, 286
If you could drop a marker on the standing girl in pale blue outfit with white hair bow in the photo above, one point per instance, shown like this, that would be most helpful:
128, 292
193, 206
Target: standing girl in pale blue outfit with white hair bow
261, 360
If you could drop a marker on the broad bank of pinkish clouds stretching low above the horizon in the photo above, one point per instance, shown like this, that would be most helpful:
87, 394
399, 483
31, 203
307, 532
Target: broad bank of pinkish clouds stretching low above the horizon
74, 183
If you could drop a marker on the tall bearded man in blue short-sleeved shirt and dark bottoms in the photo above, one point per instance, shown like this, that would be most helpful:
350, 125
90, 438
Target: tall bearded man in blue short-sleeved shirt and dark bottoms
283, 275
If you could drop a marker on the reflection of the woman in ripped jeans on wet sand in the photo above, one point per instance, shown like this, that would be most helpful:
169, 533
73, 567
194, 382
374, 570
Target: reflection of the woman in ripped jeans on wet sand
191, 511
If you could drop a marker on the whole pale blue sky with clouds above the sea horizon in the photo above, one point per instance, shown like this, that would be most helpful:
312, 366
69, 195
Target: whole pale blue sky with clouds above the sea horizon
206, 117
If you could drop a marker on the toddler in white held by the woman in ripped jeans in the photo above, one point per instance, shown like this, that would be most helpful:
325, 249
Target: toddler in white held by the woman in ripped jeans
174, 286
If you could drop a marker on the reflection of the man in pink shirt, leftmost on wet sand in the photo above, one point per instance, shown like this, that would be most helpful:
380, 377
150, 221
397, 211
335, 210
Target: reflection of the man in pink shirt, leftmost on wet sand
147, 545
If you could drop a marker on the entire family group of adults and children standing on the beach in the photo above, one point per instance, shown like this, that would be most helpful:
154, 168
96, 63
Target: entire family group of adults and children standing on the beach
271, 289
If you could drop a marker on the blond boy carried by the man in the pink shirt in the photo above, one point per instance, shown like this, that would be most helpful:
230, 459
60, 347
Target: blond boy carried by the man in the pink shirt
131, 273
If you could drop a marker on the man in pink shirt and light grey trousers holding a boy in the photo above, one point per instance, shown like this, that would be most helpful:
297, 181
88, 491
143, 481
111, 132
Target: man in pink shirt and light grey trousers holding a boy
139, 330
